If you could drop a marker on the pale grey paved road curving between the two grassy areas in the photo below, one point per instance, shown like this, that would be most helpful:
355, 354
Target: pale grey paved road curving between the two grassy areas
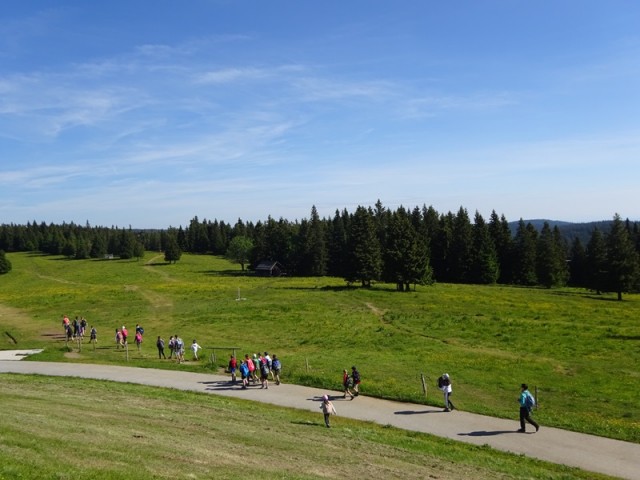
588, 452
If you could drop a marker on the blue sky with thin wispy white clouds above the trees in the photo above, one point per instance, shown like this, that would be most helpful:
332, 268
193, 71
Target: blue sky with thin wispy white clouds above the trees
149, 113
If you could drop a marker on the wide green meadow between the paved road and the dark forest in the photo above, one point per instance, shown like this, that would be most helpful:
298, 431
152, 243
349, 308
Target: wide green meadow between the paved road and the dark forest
580, 350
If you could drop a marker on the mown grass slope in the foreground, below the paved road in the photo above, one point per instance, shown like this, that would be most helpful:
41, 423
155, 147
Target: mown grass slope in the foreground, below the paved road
64, 428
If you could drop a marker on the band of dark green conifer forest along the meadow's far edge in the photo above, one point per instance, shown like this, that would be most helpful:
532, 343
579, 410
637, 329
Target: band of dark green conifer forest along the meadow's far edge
405, 247
